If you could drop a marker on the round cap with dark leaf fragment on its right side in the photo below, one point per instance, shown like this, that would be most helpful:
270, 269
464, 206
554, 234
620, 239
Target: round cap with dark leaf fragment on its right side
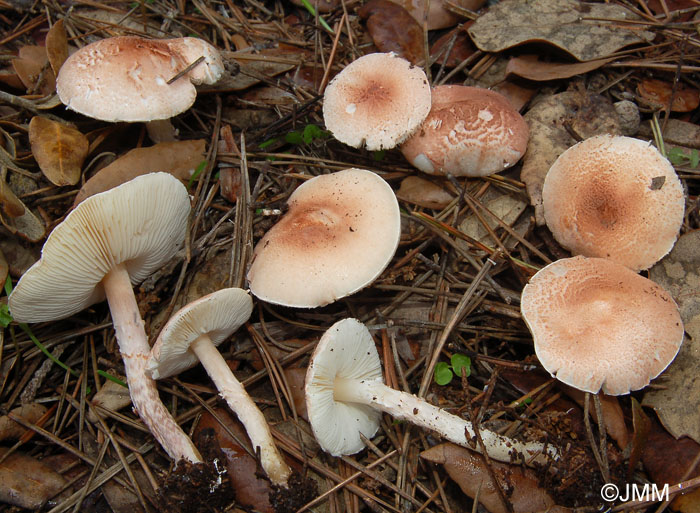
614, 197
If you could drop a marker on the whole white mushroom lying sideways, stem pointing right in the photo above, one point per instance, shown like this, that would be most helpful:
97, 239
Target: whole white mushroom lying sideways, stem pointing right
345, 394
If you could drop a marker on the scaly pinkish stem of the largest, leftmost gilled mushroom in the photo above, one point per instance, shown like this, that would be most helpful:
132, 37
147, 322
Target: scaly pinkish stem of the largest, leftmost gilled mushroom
134, 348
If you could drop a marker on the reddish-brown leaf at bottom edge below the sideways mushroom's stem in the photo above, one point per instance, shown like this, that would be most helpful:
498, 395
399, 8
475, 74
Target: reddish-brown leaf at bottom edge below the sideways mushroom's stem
469, 471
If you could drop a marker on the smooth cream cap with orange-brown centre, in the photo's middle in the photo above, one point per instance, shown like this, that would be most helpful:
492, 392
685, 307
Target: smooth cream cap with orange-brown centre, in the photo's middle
340, 232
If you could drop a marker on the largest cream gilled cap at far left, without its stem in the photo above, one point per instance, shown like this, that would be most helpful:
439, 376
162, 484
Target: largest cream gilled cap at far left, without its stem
140, 224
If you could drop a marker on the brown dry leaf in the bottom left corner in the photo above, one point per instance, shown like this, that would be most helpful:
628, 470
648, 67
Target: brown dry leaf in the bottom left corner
27, 482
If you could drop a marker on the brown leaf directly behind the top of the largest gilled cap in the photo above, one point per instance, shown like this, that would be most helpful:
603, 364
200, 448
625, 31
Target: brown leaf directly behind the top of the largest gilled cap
179, 158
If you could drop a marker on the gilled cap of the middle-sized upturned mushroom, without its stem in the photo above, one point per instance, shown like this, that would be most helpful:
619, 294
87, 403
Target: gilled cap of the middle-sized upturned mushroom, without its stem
217, 315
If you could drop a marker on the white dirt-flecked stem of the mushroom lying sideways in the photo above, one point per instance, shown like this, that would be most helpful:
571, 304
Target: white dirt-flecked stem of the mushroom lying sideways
413, 409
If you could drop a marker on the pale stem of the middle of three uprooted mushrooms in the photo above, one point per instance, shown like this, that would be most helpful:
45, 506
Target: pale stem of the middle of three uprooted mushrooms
244, 407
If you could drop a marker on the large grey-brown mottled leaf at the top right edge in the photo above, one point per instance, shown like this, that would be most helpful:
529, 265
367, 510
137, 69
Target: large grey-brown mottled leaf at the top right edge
585, 30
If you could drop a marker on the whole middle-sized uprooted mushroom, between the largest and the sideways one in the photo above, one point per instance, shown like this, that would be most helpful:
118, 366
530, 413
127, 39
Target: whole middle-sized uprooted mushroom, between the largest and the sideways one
191, 335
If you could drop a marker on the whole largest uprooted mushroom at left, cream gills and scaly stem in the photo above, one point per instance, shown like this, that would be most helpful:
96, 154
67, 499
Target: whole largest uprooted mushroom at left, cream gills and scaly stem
108, 243
